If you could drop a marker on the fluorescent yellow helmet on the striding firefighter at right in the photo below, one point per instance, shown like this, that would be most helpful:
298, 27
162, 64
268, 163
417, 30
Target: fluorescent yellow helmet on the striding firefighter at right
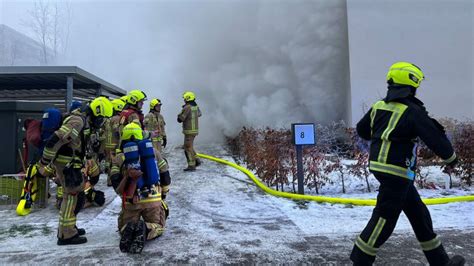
406, 74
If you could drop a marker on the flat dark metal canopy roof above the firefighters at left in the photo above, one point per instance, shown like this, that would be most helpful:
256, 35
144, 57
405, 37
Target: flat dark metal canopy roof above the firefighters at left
50, 84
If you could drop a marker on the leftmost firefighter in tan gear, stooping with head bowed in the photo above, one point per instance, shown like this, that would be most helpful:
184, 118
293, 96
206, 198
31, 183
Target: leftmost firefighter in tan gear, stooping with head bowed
64, 152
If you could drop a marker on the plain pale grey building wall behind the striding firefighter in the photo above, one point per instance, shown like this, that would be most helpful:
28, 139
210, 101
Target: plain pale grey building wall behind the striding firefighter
436, 35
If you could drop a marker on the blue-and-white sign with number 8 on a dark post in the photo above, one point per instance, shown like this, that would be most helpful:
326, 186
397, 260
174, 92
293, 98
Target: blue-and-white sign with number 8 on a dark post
303, 134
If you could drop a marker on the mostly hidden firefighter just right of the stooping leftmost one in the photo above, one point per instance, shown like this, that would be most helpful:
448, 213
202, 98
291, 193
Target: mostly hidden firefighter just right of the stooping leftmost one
112, 134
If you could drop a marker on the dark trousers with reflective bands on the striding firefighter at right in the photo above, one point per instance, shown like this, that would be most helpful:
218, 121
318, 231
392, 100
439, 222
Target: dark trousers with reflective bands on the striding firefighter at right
397, 194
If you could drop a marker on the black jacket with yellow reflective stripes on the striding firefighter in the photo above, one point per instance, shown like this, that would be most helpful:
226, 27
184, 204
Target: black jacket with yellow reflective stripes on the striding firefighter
393, 125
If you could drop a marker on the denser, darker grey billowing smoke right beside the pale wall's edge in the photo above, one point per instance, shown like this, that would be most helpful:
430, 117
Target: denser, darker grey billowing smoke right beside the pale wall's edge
295, 69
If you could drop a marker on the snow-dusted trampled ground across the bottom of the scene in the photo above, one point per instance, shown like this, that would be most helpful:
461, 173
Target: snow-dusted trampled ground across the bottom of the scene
219, 216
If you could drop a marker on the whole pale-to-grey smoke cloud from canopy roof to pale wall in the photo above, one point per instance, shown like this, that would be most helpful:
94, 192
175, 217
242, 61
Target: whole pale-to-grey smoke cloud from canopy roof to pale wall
251, 63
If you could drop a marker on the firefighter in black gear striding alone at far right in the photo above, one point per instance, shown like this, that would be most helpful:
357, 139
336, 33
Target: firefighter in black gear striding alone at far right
393, 126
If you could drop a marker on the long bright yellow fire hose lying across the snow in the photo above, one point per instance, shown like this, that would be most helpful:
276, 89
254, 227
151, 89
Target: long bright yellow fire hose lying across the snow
360, 202
